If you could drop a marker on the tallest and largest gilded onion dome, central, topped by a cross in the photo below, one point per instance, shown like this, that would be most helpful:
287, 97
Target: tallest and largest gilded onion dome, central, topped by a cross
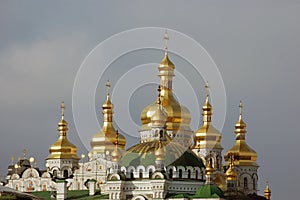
178, 116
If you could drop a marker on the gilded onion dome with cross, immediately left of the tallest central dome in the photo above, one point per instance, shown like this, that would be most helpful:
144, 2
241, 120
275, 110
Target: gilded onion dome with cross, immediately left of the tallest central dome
106, 138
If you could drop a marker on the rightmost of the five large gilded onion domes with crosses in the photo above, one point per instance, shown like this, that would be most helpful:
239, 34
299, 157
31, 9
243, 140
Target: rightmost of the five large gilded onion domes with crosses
244, 154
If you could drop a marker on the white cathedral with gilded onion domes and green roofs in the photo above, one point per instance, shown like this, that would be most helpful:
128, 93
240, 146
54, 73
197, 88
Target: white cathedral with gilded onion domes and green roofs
171, 161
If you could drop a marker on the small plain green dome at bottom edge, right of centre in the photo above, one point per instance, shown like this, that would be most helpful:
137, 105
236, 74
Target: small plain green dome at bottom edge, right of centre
209, 191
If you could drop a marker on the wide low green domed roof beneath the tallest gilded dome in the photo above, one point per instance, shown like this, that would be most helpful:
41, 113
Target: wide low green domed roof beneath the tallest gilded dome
176, 155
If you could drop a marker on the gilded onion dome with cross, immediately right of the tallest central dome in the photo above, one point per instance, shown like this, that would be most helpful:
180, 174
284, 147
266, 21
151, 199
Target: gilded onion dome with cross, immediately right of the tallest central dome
207, 136
